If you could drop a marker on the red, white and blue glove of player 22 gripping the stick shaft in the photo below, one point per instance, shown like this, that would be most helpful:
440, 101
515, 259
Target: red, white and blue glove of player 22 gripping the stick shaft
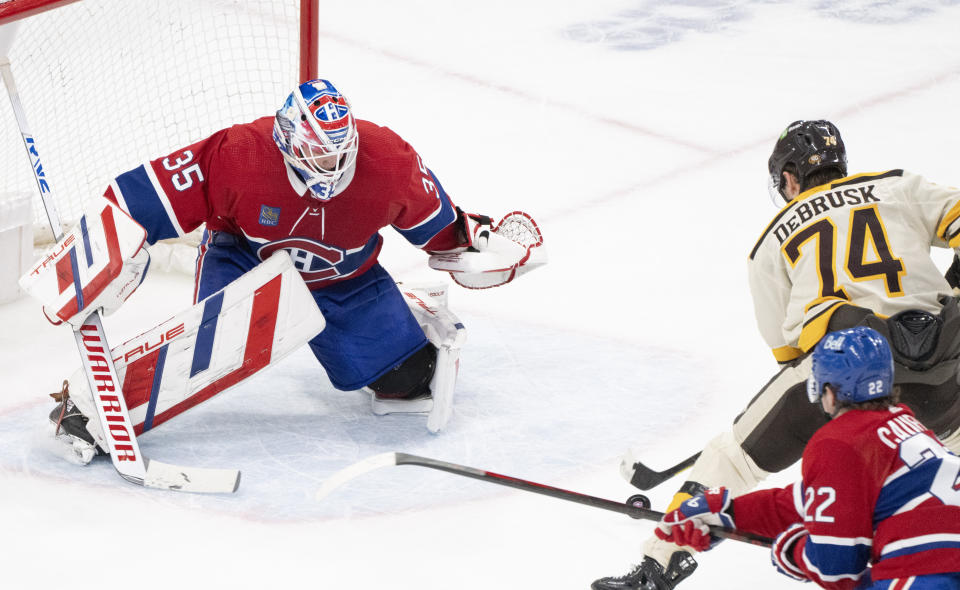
690, 523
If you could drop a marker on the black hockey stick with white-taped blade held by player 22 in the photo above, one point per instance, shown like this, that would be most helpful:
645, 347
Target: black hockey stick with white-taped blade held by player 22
629, 508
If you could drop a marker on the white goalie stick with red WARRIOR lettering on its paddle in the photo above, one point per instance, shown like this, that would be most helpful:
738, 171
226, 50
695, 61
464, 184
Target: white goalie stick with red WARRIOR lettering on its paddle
99, 368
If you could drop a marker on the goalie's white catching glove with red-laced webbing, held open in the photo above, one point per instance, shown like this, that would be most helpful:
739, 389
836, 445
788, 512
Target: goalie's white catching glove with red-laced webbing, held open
495, 254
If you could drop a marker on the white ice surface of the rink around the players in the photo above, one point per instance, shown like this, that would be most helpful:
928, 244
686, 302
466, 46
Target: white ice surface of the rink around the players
636, 133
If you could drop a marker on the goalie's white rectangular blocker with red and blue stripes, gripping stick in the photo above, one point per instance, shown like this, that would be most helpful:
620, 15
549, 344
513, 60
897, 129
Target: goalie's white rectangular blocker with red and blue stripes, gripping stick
97, 265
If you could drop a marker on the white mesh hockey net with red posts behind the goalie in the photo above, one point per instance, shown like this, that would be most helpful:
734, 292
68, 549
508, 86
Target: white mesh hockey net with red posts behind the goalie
108, 84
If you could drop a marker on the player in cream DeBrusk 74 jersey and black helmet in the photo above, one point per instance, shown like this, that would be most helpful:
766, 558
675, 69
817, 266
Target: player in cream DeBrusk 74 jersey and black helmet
845, 250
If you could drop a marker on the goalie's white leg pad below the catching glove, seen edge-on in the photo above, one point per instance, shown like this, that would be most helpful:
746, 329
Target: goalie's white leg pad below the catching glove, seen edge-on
447, 333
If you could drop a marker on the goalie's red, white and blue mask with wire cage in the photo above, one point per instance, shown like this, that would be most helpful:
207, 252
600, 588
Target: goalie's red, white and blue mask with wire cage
317, 135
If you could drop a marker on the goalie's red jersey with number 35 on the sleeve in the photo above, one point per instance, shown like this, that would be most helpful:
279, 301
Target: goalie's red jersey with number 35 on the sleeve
236, 181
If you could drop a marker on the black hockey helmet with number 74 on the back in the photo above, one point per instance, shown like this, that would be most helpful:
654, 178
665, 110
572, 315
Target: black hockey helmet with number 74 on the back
809, 146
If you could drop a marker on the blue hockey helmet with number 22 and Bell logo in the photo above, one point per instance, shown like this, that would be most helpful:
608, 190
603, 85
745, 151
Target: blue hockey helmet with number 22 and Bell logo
856, 363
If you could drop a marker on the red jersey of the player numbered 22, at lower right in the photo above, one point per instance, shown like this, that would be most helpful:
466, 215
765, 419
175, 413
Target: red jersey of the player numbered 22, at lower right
878, 488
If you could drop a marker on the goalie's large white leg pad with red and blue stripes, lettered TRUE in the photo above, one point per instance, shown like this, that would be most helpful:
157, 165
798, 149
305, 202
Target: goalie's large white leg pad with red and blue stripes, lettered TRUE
253, 322
